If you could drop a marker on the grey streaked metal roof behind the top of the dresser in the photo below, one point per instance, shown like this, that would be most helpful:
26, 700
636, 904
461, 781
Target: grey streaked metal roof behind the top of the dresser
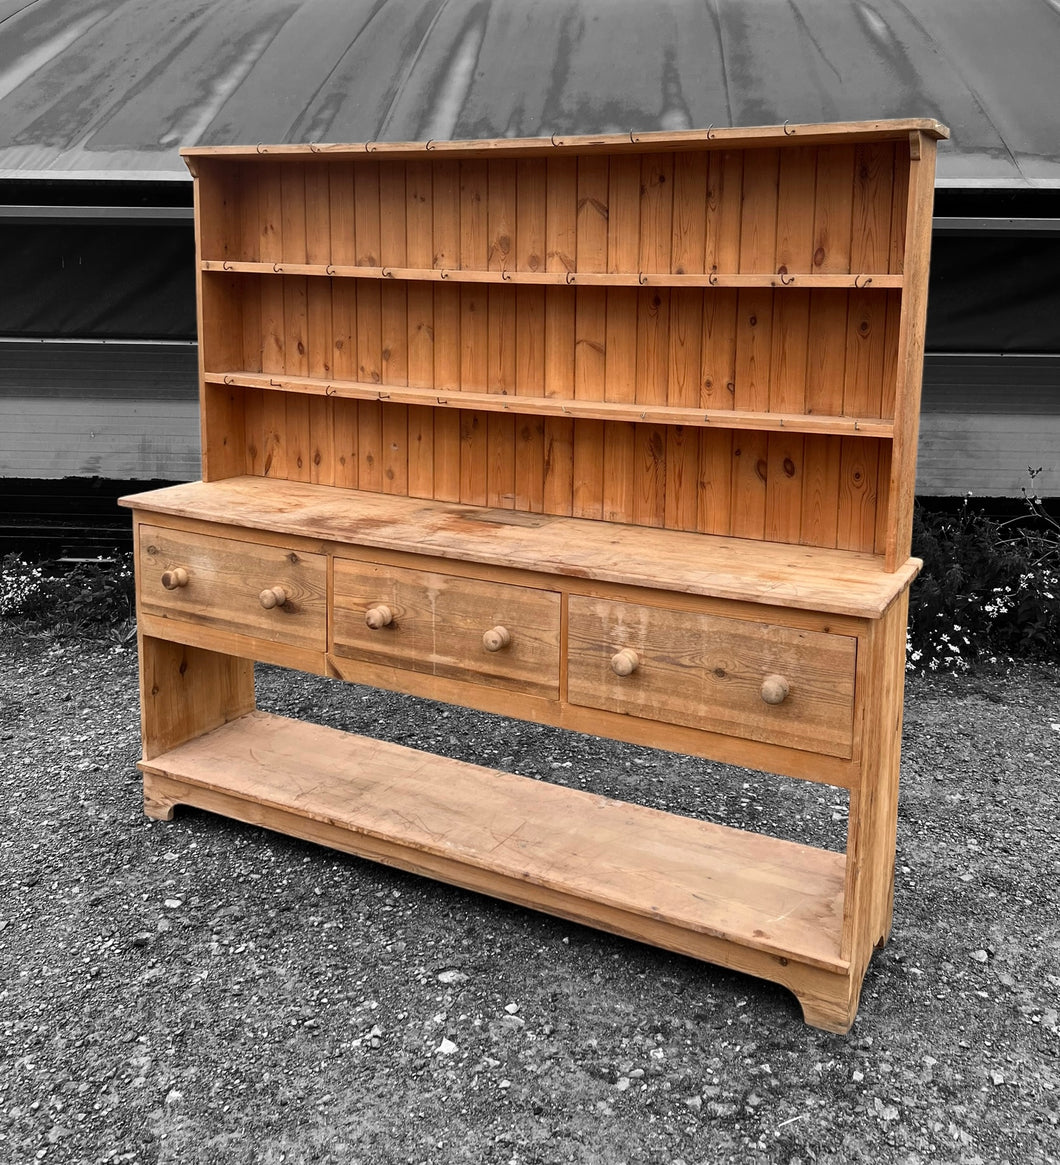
114, 88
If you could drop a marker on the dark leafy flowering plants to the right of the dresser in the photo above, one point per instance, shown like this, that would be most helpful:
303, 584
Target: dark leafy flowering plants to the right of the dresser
990, 590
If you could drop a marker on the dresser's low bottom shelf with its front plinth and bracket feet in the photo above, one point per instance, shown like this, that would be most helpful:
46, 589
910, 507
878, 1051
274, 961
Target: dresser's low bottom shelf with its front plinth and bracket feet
745, 901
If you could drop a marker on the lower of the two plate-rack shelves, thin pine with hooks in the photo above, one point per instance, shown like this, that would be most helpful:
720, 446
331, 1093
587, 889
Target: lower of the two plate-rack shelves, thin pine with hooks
561, 407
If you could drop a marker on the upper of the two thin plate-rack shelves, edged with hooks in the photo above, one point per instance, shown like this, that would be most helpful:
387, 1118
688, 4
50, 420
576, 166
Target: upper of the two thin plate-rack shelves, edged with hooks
561, 279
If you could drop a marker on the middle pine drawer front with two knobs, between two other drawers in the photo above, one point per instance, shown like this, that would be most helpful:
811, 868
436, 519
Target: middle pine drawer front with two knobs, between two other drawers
435, 624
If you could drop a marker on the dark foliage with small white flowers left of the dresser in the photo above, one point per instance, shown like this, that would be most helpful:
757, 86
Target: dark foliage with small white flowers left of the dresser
91, 598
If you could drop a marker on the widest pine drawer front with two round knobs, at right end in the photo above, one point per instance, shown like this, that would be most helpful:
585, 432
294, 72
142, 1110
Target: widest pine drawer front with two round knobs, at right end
757, 681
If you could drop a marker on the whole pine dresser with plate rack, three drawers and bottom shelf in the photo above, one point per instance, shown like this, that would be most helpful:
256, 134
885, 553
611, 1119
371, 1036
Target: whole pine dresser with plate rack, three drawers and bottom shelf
614, 434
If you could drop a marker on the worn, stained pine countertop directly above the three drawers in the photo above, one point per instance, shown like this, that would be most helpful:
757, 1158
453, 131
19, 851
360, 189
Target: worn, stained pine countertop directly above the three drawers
836, 582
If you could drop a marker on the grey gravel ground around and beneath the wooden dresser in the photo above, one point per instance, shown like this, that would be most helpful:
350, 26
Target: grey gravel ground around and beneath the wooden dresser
204, 992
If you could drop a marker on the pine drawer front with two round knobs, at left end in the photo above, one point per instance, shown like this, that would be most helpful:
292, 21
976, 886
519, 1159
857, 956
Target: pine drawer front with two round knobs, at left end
222, 583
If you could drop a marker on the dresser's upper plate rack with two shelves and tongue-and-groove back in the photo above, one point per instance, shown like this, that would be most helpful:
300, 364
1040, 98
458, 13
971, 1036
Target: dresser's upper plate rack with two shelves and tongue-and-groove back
758, 293
